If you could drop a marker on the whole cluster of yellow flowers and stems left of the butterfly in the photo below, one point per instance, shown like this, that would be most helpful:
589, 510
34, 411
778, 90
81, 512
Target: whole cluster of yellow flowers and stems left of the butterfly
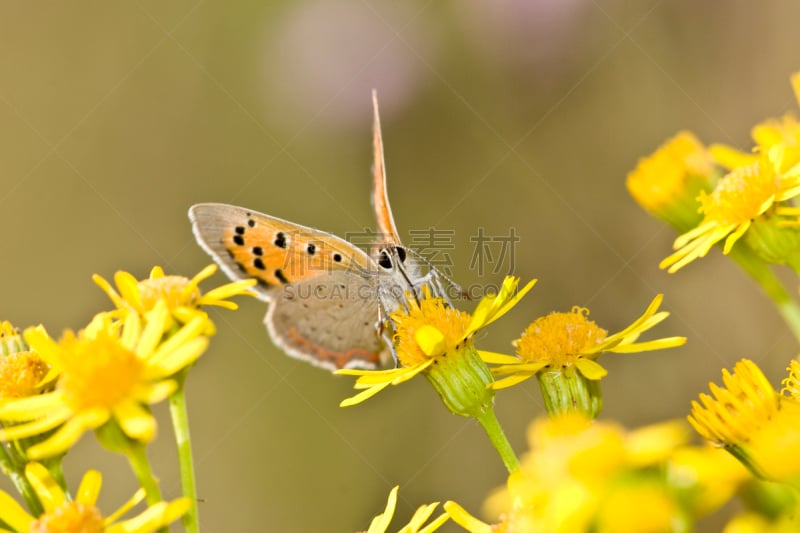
103, 377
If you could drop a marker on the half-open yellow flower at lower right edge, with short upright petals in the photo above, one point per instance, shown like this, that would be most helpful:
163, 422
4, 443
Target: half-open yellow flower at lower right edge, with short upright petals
753, 422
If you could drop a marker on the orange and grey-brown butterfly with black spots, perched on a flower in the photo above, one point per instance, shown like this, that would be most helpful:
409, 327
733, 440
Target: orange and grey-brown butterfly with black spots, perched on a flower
329, 301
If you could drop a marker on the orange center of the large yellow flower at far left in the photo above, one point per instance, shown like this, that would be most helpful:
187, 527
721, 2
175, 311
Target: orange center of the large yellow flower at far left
98, 372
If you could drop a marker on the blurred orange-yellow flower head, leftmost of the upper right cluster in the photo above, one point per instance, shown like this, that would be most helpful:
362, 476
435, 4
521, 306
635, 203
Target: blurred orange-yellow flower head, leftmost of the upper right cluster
666, 183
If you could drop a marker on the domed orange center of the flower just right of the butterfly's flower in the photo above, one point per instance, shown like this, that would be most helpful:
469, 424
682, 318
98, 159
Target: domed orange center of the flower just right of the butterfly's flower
558, 339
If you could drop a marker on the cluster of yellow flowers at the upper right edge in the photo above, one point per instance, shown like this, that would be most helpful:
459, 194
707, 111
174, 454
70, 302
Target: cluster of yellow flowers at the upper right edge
750, 203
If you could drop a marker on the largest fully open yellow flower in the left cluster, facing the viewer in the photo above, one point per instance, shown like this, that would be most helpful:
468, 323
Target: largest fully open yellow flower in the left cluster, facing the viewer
109, 370
